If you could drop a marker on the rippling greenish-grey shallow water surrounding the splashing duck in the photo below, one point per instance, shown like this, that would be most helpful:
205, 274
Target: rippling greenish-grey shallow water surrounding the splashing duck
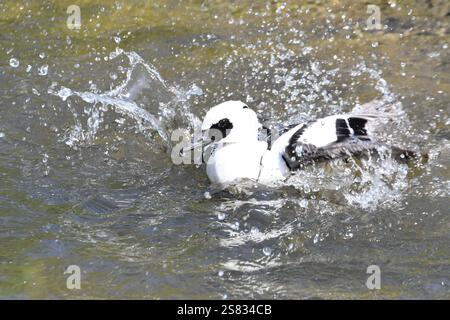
86, 176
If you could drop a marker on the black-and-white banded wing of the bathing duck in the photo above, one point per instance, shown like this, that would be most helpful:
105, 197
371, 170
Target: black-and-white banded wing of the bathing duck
327, 138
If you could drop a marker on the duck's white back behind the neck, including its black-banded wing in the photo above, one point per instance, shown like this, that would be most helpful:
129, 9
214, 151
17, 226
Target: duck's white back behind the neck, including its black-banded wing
325, 138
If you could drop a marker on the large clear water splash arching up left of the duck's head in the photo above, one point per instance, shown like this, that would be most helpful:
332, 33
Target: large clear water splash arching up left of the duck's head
123, 98
